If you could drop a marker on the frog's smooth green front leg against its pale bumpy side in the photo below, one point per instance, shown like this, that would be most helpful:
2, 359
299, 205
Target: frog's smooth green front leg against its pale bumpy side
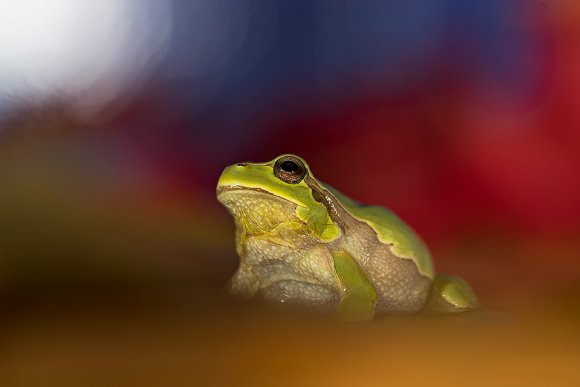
358, 297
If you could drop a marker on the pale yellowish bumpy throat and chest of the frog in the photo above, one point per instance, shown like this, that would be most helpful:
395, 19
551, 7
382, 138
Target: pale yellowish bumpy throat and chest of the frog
280, 259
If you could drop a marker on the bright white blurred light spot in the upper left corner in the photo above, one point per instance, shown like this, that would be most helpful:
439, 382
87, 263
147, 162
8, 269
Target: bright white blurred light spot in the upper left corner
92, 51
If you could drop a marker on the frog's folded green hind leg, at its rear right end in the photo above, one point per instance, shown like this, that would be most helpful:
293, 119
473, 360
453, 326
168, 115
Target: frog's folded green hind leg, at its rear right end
450, 294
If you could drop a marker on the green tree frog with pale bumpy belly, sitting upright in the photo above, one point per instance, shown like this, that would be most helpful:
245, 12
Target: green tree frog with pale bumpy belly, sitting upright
302, 243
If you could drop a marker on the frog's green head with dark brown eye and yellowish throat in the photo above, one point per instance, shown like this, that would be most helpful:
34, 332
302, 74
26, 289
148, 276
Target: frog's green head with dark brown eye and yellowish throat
260, 196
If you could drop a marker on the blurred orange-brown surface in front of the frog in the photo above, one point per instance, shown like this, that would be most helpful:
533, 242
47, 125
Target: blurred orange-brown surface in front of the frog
207, 341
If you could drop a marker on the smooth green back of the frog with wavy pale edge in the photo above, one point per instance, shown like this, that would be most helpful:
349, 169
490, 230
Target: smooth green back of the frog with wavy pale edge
390, 229
